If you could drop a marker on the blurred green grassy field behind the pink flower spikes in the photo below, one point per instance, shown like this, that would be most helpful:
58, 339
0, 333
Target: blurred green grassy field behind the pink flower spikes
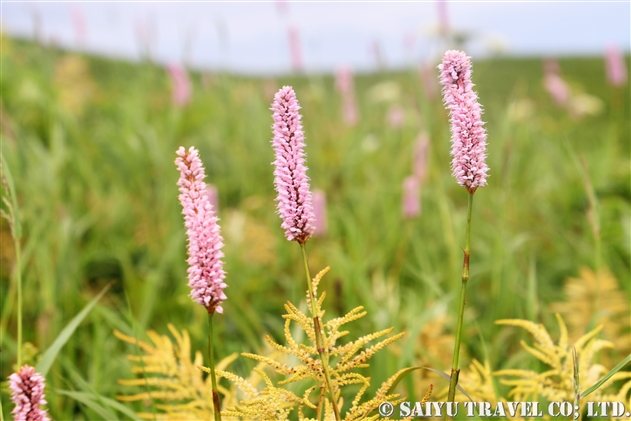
90, 145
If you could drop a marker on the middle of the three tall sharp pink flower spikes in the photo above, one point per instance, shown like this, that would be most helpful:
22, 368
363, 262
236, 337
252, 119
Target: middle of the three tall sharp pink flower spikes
295, 205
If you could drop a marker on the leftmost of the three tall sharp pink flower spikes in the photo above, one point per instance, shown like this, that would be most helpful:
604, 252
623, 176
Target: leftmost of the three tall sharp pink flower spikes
205, 273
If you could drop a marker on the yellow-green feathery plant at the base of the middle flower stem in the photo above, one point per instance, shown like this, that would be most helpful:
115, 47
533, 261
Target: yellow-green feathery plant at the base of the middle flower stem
276, 402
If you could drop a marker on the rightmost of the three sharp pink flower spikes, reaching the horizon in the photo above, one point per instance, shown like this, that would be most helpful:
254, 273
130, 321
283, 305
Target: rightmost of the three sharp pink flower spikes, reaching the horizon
468, 145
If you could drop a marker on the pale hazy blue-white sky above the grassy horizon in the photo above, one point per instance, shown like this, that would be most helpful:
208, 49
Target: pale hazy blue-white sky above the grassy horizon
259, 37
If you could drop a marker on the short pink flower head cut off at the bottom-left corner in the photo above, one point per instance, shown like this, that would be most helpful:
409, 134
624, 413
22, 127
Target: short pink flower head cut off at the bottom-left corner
27, 393
